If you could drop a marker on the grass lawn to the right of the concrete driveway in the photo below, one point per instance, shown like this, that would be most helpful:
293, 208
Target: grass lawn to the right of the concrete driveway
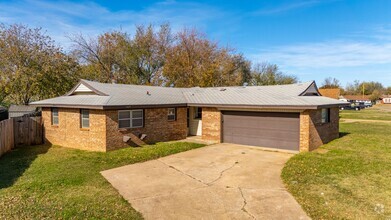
349, 178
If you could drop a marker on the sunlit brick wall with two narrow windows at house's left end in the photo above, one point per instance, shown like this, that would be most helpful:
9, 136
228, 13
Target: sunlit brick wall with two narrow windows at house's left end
69, 132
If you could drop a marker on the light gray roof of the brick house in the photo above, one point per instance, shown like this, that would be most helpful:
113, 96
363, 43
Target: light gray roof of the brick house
120, 95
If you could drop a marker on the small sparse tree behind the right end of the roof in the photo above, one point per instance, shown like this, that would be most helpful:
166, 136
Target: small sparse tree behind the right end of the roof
269, 74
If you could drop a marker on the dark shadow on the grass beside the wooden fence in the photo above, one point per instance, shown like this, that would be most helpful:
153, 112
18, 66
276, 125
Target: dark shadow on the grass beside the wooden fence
14, 163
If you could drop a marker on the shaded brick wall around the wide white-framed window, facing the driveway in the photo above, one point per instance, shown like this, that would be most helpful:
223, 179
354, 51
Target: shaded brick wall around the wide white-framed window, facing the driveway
156, 127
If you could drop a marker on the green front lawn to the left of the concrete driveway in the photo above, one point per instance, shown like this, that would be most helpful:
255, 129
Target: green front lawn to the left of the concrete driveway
58, 183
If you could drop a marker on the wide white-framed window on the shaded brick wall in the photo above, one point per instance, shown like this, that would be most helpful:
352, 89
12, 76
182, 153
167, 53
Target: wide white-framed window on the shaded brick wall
130, 118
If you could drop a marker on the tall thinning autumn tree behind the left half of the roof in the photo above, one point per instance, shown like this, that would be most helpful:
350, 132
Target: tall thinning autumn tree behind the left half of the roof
117, 57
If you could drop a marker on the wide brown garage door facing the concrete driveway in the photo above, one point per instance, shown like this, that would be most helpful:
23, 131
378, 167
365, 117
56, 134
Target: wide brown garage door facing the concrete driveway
265, 129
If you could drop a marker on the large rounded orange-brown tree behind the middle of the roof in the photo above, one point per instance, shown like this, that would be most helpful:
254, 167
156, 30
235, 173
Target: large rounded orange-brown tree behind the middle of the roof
194, 60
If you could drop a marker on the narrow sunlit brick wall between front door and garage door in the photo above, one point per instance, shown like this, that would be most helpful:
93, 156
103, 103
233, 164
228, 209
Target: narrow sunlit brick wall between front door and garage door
211, 124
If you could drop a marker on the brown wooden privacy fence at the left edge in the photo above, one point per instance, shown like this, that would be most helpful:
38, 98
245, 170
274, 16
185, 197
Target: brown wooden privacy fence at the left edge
24, 130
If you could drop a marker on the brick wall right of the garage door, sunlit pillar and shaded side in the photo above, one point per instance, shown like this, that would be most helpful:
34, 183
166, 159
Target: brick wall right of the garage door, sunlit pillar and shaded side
314, 133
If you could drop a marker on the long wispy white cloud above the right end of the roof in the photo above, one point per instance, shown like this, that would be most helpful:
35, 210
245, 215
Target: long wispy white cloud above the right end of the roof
328, 54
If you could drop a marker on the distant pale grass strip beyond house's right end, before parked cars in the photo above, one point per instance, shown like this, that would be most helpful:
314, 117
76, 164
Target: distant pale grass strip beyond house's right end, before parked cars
377, 112
